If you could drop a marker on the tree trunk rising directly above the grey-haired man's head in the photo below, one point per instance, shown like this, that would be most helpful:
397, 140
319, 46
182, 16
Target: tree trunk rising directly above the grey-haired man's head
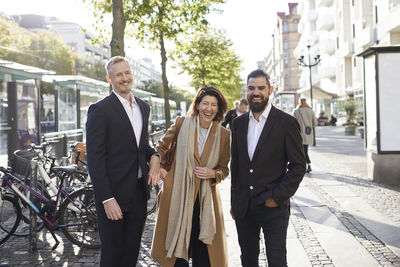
118, 29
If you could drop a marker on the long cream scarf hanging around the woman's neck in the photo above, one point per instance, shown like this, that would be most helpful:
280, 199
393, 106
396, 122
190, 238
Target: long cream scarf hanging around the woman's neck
182, 197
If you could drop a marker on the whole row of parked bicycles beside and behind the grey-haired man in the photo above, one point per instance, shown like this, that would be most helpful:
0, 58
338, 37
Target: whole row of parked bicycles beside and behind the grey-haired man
61, 196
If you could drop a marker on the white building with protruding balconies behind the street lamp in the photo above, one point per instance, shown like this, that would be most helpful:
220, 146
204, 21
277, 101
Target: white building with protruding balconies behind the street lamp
317, 28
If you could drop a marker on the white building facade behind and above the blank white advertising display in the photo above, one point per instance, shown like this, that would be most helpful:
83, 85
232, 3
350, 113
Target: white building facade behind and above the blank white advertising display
359, 25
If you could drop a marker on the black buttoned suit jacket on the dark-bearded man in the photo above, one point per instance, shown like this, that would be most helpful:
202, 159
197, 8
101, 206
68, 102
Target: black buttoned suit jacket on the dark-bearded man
278, 164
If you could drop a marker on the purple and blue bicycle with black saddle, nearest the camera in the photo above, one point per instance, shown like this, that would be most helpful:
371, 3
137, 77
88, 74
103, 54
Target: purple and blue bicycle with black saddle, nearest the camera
75, 216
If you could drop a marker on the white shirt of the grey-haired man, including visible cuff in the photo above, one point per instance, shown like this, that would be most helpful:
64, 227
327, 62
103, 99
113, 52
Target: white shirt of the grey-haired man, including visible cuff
135, 117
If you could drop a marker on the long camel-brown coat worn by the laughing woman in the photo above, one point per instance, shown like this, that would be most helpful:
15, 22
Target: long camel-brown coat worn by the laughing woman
218, 249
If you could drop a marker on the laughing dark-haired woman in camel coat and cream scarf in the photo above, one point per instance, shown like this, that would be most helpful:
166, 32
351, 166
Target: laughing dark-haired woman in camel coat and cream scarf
190, 221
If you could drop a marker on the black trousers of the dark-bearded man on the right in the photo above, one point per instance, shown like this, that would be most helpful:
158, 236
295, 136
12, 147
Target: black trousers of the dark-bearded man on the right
274, 223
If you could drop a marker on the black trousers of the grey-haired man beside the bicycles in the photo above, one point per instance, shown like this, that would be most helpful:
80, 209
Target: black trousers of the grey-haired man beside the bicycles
120, 240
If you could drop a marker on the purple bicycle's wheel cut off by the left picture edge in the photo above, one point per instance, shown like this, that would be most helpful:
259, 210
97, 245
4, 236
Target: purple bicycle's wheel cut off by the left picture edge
10, 215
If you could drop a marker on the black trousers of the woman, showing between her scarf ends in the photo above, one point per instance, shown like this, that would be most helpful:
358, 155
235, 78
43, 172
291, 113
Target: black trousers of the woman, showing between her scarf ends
200, 257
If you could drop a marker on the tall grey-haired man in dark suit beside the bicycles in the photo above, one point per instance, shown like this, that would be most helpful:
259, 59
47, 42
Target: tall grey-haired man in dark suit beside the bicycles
118, 153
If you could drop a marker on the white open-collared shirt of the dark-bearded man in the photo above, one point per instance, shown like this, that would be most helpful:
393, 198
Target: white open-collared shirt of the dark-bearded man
255, 129
